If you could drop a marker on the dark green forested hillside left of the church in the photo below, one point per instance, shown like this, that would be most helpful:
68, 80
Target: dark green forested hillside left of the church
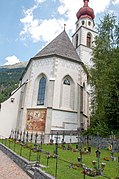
9, 80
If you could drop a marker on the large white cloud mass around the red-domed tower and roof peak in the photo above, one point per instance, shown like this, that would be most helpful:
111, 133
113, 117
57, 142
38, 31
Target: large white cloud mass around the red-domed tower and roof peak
46, 30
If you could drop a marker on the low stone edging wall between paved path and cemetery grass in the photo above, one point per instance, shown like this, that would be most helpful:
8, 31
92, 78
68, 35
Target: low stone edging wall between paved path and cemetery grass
27, 166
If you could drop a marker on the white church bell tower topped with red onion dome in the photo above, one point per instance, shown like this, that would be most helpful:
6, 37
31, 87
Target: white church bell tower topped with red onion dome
84, 36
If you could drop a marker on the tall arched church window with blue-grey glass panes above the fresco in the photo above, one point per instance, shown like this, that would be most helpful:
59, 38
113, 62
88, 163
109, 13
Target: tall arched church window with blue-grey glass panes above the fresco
41, 91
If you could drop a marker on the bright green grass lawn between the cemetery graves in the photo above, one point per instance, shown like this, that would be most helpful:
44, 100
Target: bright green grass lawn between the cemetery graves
65, 158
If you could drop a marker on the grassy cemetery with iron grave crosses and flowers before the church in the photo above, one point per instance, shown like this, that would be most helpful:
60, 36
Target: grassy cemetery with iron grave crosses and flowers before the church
89, 157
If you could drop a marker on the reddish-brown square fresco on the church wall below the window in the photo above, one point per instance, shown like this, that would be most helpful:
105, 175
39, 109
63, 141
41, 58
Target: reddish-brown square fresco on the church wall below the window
36, 120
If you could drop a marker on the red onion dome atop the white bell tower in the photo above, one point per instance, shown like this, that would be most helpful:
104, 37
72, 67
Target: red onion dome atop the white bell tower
85, 11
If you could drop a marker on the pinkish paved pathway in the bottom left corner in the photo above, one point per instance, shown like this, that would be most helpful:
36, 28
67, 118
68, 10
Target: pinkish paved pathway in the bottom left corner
9, 169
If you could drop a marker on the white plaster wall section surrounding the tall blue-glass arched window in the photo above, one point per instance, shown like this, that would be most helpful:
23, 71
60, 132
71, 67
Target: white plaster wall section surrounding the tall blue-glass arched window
41, 66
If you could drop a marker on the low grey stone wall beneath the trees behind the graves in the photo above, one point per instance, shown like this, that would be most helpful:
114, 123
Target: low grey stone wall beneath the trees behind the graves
102, 142
